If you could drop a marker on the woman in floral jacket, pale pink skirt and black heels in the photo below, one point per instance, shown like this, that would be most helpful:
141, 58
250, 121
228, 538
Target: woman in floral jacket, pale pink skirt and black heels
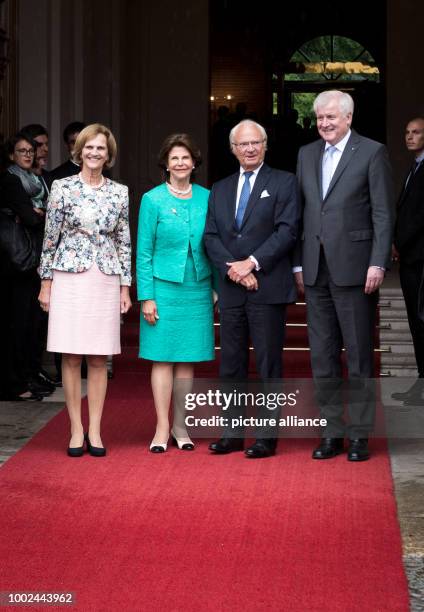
86, 273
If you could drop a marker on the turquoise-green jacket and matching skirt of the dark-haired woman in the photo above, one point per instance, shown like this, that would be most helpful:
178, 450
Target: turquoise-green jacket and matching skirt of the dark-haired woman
173, 270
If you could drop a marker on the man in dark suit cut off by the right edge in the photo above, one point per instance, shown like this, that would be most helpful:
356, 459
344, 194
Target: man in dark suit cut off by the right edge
409, 245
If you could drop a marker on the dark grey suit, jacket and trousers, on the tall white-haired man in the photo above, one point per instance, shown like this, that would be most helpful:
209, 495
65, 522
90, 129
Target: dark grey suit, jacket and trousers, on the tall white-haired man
343, 234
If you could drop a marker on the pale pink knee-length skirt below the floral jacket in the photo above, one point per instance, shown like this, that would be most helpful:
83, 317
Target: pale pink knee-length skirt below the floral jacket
84, 315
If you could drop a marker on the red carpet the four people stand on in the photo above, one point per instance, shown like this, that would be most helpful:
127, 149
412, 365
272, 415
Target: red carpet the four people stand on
187, 531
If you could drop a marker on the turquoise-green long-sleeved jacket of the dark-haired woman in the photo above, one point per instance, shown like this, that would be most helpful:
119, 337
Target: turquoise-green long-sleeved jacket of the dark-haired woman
167, 226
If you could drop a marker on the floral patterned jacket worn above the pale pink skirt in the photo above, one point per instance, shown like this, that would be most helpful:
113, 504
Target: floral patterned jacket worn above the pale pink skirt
83, 225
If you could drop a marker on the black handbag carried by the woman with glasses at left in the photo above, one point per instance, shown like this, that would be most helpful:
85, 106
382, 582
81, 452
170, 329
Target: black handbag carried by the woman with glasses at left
17, 243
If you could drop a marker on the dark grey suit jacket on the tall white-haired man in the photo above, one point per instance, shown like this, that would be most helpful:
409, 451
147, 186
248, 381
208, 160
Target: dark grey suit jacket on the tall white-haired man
354, 221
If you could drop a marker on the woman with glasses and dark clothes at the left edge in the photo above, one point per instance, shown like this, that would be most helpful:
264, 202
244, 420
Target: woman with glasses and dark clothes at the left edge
21, 197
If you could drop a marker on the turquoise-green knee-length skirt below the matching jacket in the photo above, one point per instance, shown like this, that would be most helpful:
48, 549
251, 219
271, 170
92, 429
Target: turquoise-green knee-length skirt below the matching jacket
184, 331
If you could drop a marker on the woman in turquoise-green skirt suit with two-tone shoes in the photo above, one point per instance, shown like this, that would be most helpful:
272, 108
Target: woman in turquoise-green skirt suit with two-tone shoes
174, 284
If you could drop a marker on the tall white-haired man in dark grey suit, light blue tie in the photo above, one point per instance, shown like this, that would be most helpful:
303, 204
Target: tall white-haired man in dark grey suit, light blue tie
345, 247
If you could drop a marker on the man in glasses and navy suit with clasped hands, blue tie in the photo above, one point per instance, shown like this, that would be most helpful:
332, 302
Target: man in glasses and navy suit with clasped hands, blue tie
250, 232
